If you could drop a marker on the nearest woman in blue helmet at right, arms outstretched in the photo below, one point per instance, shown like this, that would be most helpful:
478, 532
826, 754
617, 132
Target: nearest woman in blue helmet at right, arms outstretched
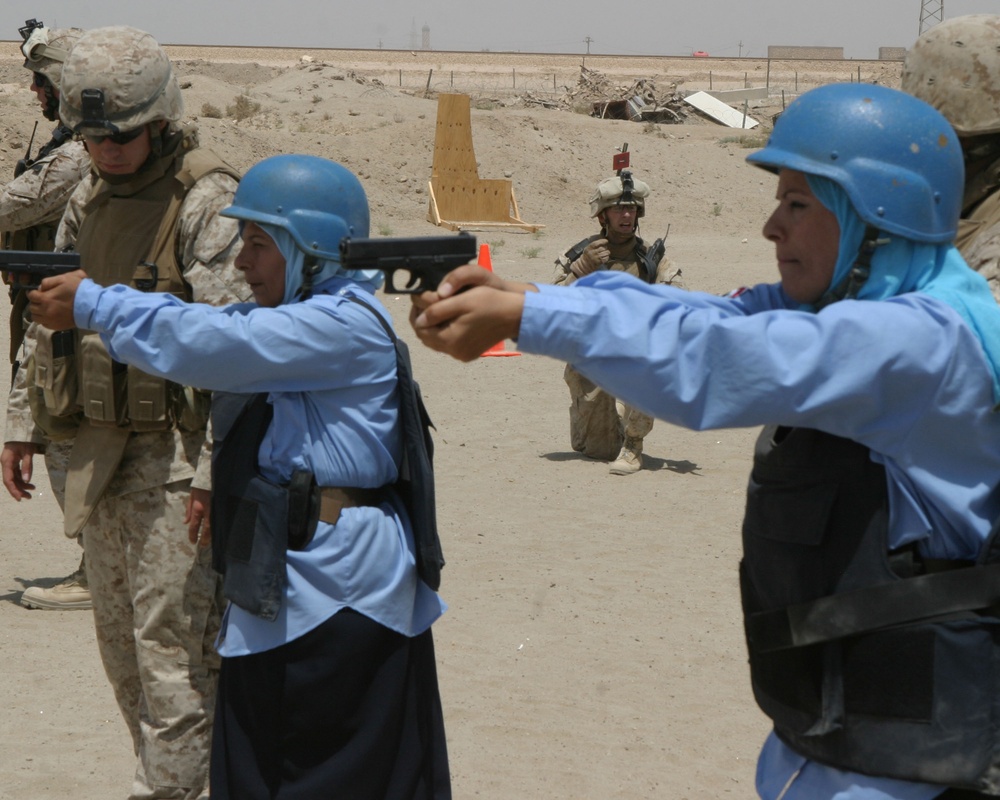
869, 568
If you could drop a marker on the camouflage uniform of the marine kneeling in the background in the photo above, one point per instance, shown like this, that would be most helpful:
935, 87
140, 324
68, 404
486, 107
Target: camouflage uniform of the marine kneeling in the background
598, 423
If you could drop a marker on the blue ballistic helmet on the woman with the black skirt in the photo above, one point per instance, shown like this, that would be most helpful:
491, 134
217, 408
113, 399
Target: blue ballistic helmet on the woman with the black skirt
316, 200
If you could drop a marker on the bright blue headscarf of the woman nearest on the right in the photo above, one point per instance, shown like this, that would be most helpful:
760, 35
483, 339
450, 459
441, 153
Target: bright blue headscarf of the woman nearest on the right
903, 265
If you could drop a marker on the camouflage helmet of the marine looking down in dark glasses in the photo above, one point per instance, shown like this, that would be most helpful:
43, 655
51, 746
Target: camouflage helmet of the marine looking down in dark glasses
118, 79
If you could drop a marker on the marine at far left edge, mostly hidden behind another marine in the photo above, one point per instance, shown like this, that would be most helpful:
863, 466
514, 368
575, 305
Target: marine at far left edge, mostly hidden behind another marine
31, 206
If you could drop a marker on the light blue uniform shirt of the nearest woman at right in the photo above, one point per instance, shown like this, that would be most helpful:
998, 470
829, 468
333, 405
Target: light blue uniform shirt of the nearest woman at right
905, 377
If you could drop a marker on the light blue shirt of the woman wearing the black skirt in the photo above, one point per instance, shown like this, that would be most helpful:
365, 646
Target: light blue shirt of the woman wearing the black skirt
330, 373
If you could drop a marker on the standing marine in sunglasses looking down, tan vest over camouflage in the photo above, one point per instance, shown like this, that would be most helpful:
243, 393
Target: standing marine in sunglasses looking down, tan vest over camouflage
139, 458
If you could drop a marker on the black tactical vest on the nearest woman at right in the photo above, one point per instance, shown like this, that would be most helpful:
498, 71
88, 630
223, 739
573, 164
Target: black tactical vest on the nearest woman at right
869, 661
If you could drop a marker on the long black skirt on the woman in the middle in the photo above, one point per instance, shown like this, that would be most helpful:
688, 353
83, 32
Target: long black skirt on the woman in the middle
349, 711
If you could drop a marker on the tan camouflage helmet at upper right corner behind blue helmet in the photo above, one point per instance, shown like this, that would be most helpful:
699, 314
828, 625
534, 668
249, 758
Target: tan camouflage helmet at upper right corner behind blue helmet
955, 66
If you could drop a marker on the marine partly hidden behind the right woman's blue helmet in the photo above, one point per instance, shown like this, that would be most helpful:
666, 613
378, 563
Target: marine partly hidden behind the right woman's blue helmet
955, 66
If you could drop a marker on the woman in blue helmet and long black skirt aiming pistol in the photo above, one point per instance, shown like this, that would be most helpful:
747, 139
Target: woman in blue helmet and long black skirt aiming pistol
328, 686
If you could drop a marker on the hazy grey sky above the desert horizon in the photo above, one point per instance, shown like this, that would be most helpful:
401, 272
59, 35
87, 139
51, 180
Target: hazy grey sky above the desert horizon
631, 27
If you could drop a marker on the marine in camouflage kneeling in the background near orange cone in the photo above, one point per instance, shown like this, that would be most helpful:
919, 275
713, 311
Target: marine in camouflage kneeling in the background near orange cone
600, 426
